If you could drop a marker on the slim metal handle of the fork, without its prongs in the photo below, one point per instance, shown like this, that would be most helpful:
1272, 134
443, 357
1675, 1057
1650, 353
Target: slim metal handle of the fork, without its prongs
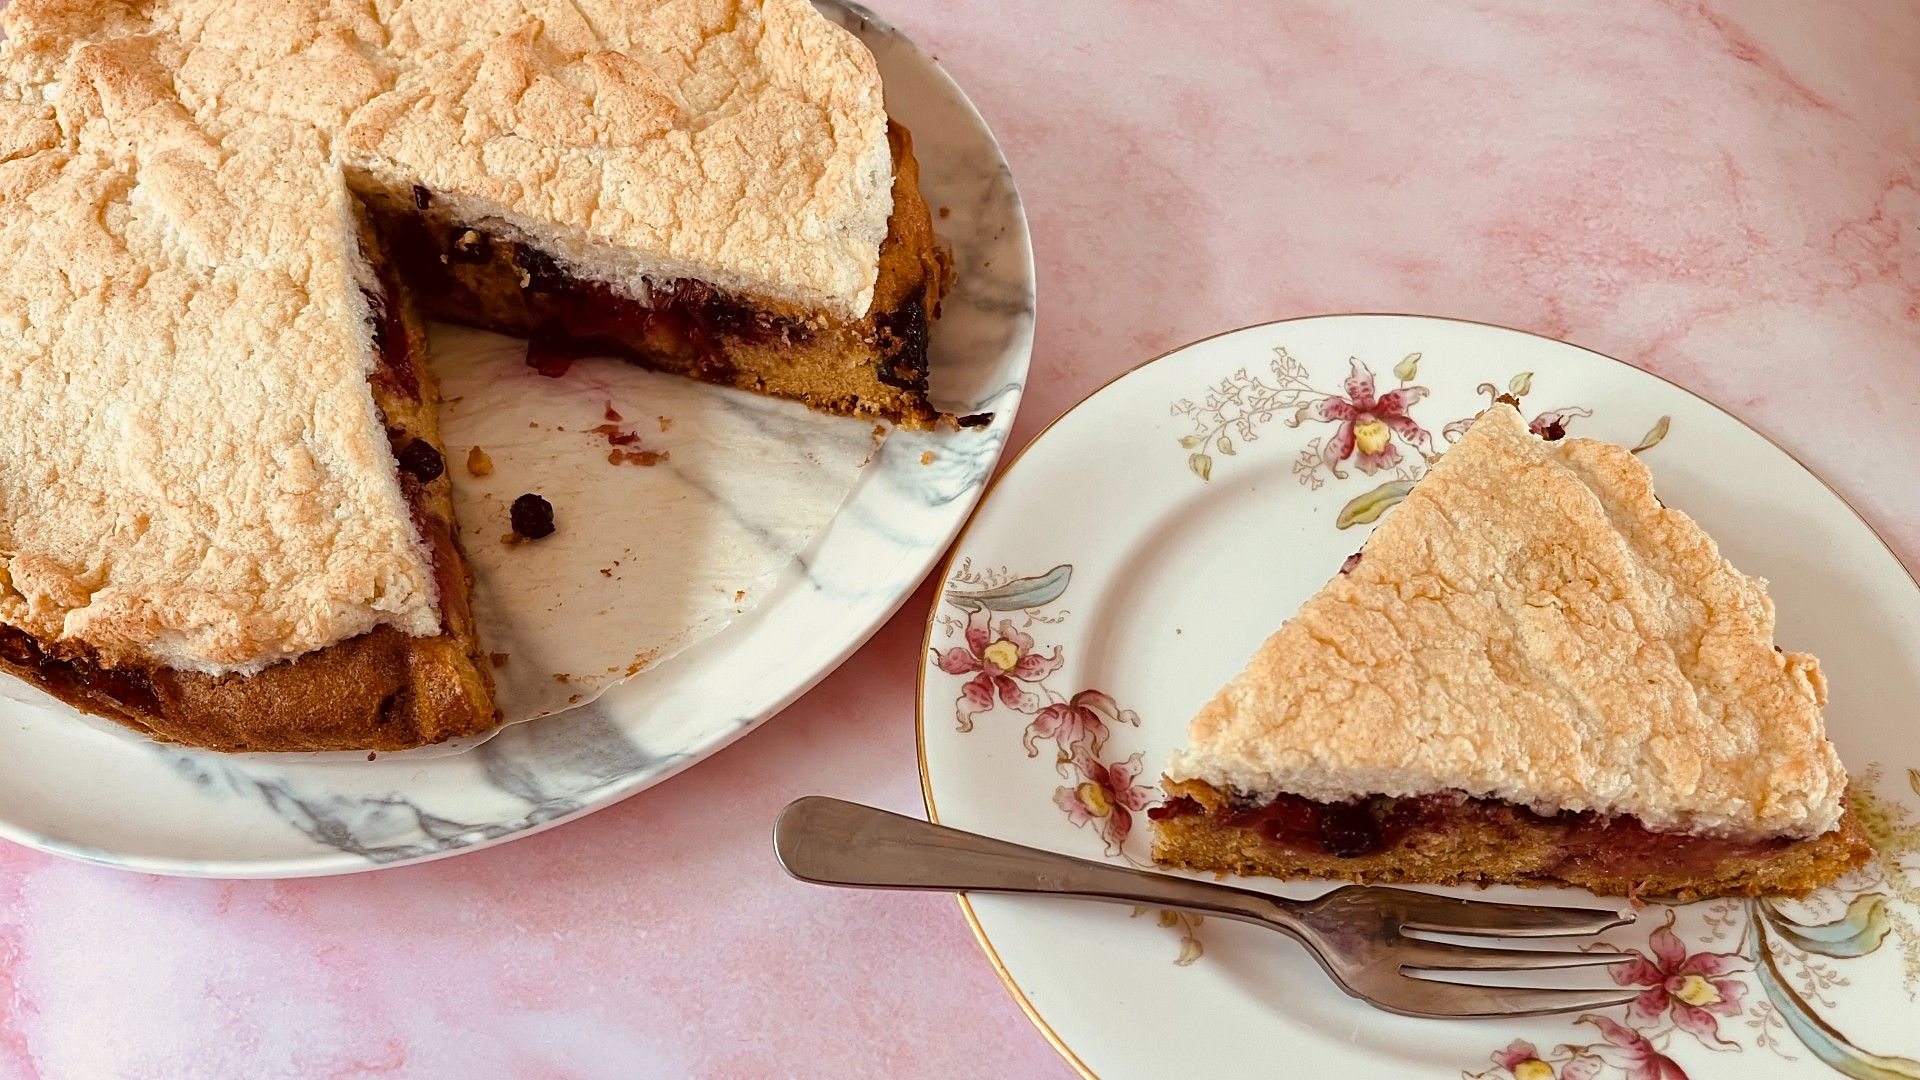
836, 843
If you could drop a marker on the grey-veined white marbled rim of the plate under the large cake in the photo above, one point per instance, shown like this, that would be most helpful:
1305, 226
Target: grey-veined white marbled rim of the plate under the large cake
95, 795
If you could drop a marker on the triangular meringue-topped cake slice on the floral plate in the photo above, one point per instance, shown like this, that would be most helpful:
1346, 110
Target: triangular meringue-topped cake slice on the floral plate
1535, 674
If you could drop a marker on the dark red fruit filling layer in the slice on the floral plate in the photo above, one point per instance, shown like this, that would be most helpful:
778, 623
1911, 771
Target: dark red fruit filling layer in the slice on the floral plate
1600, 845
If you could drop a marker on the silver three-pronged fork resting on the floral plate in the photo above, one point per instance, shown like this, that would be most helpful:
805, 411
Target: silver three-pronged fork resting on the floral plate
1356, 933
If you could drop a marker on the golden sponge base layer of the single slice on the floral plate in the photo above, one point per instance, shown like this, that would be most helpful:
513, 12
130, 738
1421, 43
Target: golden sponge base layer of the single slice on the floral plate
1506, 847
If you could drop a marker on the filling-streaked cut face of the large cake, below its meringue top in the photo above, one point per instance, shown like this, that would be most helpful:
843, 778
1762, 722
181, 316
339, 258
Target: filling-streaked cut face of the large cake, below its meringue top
492, 274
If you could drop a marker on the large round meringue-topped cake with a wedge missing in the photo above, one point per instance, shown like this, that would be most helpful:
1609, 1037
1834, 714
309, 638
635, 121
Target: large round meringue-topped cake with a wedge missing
226, 514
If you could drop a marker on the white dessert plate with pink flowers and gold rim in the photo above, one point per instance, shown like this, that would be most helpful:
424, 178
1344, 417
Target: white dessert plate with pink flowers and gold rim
1151, 539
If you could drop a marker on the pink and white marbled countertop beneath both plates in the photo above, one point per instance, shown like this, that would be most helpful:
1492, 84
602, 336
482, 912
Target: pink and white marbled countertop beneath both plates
1725, 193
